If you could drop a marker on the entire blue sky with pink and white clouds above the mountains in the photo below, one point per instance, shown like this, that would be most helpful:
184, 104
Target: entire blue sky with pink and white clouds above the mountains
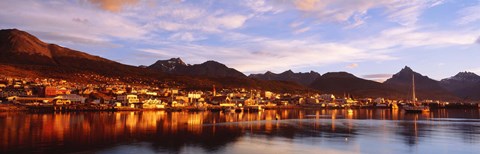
372, 39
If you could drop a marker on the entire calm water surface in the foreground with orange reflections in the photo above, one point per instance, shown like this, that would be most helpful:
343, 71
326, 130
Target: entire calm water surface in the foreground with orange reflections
297, 131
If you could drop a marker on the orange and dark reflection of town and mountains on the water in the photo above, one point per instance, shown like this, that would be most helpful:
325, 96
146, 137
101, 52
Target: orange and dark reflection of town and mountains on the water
70, 132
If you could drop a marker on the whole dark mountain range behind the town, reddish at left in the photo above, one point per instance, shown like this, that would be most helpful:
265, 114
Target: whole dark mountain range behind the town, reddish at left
24, 55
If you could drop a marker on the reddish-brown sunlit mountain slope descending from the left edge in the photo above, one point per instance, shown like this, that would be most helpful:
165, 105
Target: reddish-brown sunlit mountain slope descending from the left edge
25, 51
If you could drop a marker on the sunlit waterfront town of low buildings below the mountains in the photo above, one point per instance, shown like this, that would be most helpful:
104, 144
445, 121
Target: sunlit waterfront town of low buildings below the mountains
61, 95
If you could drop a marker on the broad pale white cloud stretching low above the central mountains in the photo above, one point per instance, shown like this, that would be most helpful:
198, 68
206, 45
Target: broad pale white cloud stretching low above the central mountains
257, 54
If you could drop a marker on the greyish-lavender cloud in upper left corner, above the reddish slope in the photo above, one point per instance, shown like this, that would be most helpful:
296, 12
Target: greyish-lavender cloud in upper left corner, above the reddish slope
70, 21
